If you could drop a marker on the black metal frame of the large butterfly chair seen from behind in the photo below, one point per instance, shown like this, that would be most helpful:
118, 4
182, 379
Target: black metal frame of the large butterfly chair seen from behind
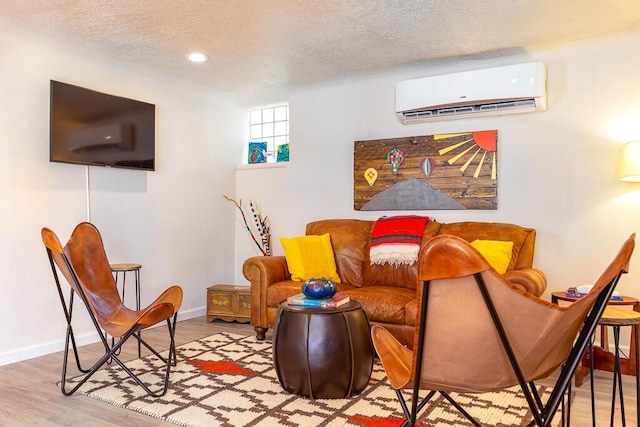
543, 414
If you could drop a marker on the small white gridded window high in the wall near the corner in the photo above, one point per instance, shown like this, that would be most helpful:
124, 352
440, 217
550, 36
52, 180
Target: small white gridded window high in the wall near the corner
271, 126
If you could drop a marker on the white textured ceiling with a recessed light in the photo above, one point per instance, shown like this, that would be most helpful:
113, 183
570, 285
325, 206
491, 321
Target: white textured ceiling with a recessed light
266, 43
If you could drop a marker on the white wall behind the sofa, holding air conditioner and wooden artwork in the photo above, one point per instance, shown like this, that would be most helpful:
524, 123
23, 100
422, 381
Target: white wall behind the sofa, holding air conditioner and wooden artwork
557, 169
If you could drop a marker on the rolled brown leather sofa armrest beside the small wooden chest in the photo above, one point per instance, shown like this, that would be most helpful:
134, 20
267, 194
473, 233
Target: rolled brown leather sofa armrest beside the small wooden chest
262, 272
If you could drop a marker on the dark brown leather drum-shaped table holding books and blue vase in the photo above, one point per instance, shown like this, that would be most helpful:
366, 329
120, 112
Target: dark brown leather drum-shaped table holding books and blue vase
323, 353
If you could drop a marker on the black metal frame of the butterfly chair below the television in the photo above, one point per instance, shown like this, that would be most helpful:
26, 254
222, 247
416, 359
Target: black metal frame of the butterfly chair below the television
111, 352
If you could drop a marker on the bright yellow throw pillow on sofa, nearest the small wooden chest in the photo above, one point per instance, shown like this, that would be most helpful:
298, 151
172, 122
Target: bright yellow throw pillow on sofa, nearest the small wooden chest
310, 257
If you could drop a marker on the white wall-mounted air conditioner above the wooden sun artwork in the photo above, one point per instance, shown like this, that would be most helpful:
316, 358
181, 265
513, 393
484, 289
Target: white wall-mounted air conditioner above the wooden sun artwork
492, 91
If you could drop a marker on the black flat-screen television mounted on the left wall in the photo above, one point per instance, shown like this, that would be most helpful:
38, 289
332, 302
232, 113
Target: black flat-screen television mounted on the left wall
97, 129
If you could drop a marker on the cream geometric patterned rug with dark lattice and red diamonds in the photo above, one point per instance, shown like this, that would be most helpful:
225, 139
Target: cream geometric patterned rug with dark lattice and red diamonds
228, 380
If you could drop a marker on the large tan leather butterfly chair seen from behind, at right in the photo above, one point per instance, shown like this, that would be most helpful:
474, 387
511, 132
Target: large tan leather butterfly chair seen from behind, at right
476, 332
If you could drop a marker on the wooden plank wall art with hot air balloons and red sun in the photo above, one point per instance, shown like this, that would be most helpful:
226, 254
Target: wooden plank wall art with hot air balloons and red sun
444, 171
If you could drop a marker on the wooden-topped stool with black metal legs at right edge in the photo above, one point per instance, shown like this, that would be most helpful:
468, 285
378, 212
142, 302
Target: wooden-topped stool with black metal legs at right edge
617, 317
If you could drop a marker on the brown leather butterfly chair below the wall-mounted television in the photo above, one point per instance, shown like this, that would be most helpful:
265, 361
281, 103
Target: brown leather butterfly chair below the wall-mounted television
84, 264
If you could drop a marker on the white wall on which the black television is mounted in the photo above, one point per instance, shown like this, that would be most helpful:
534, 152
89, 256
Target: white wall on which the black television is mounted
173, 221
